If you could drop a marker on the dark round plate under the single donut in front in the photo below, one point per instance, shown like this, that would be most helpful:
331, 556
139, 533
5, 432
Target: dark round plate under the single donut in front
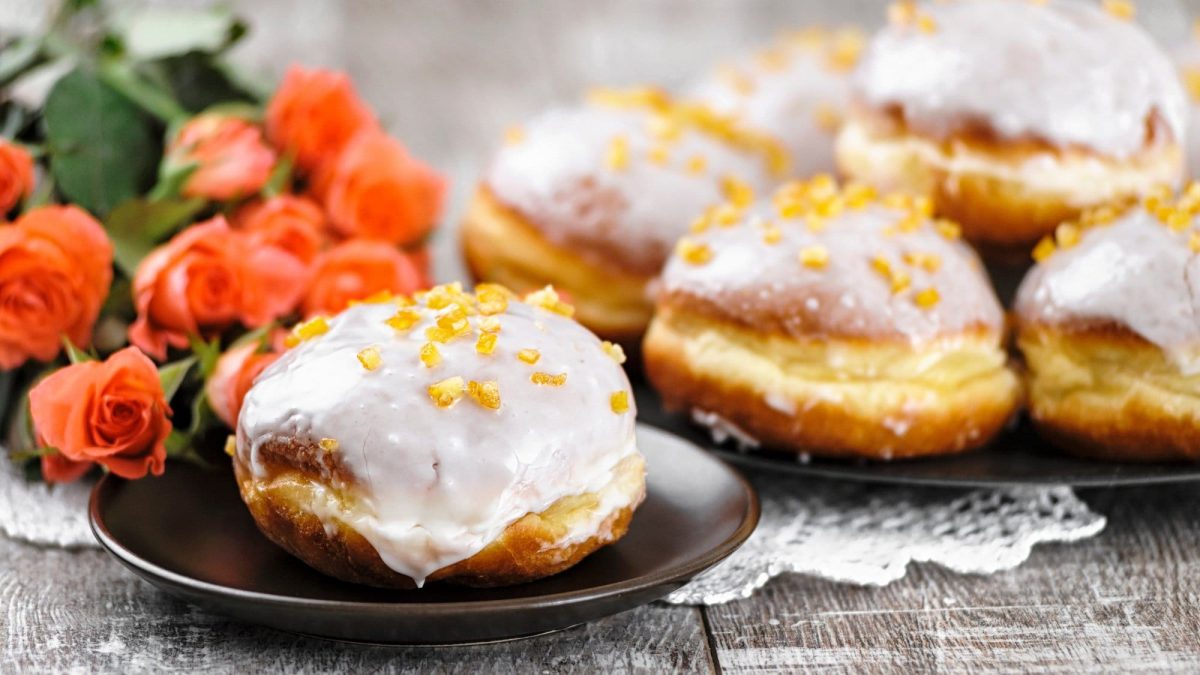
189, 534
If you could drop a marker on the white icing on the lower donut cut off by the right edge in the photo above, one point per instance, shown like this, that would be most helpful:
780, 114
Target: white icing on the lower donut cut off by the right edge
1136, 273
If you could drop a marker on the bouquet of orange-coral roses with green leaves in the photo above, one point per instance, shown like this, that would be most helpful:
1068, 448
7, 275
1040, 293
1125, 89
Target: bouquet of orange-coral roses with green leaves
165, 219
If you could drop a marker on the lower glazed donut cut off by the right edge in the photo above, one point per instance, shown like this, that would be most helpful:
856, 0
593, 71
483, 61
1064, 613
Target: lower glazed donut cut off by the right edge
1109, 326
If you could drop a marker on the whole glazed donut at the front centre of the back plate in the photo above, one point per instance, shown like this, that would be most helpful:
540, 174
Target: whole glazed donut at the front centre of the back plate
833, 324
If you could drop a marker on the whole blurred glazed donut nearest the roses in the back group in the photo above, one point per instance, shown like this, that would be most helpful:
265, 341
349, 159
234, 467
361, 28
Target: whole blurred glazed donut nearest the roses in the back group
592, 199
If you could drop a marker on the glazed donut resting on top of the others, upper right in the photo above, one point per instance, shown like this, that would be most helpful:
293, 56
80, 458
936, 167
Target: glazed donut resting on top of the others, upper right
1015, 117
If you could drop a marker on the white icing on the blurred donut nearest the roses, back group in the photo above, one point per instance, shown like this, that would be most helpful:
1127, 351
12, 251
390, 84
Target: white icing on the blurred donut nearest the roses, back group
557, 178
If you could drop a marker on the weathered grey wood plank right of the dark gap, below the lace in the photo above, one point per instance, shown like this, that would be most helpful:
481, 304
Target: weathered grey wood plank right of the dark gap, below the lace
1124, 601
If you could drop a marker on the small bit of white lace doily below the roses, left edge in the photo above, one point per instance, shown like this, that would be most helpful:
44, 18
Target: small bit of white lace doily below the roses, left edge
44, 515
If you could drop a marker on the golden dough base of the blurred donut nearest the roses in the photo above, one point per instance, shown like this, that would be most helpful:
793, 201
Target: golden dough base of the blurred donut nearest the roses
500, 246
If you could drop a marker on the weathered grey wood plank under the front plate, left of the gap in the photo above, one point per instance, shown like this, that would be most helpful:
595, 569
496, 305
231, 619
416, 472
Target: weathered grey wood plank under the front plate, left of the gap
82, 611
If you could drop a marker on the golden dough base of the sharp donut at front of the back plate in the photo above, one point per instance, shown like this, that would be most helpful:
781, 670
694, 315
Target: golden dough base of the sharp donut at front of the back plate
884, 401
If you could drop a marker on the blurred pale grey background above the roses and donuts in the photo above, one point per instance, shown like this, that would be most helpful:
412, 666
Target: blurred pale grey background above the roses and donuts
449, 76
